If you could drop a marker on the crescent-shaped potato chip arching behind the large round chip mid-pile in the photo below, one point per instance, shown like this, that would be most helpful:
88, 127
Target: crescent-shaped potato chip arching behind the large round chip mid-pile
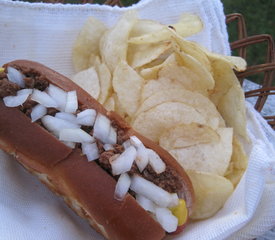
193, 99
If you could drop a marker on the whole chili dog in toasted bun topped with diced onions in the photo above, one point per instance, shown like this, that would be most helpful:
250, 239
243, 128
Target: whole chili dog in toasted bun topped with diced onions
126, 186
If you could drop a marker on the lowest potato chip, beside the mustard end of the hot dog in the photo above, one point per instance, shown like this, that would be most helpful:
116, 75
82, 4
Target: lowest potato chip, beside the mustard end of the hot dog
211, 192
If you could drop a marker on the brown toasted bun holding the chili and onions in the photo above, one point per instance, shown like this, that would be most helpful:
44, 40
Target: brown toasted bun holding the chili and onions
68, 173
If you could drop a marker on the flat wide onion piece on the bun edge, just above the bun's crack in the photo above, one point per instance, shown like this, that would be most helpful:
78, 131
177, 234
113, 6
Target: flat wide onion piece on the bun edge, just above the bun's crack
75, 135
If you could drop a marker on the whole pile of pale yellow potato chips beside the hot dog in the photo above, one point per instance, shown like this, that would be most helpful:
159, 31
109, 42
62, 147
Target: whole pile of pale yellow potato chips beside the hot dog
174, 92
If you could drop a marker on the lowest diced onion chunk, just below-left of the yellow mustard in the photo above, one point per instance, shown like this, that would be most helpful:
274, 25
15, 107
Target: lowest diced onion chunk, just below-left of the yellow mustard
166, 219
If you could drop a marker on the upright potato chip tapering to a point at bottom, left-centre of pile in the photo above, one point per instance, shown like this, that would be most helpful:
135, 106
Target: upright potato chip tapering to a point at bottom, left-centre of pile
127, 85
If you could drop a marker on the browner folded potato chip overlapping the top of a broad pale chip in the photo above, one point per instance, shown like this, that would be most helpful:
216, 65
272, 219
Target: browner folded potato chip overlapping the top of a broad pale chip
186, 135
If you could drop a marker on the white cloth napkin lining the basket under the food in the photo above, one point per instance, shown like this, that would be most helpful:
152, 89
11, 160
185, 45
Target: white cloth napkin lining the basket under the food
45, 33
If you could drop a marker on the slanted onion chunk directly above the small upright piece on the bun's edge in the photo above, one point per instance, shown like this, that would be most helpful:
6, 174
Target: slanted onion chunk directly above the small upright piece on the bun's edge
124, 162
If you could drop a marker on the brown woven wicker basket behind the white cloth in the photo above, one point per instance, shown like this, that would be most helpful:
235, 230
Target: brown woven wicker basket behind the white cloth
241, 44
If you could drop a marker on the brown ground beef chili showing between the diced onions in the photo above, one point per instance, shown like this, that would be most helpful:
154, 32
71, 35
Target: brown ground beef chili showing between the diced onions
168, 180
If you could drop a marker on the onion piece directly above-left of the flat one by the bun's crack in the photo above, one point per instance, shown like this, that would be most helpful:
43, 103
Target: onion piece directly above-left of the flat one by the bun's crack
55, 125
